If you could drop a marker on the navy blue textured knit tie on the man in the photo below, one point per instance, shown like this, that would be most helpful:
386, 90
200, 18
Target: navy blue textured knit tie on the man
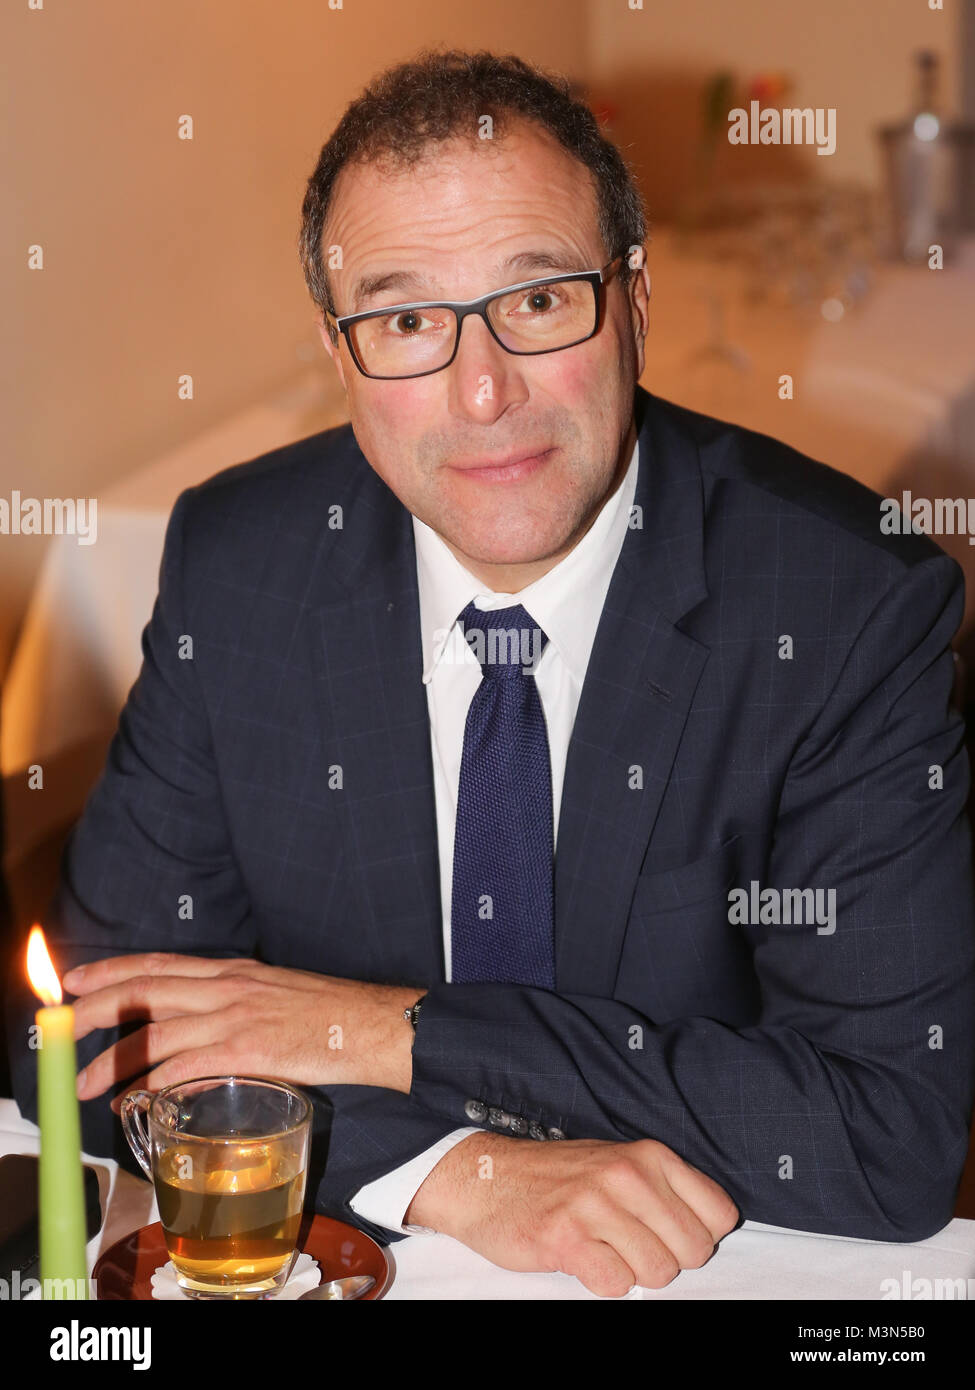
501, 913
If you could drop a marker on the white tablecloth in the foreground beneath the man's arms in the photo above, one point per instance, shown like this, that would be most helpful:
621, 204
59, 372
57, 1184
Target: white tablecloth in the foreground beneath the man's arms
755, 1263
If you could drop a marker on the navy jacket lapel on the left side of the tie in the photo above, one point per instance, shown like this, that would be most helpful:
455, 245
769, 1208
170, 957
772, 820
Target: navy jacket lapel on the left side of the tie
376, 726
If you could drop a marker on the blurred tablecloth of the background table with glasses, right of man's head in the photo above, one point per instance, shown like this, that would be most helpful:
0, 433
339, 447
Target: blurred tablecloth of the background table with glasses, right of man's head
891, 386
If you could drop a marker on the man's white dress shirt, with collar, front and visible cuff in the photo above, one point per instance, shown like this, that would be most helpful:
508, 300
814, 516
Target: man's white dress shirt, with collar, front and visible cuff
567, 604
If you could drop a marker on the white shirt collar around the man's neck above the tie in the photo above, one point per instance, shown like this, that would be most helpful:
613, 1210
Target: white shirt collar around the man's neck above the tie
567, 603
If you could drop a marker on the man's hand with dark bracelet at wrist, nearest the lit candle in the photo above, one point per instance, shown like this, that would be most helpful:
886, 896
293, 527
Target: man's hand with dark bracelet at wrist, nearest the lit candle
208, 1018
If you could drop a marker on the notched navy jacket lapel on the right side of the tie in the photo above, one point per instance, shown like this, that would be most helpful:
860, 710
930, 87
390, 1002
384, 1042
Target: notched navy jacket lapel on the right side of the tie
638, 694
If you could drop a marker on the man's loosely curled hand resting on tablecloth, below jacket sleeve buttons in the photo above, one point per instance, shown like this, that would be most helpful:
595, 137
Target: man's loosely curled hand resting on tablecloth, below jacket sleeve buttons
614, 1216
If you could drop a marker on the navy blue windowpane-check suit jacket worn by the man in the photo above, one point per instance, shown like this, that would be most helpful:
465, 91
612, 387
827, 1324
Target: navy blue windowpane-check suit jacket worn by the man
825, 1081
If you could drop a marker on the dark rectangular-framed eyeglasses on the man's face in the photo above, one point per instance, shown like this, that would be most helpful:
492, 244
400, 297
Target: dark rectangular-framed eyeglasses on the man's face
421, 338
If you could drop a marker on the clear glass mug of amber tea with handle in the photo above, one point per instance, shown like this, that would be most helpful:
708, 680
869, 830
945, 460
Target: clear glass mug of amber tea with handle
229, 1160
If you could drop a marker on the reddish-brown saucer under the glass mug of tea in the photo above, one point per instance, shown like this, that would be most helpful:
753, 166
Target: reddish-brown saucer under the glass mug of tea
126, 1270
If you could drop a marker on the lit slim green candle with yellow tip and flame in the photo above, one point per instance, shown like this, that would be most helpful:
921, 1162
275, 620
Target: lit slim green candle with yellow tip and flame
62, 1188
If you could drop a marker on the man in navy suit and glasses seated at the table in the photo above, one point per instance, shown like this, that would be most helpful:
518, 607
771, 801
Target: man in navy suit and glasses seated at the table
743, 972
